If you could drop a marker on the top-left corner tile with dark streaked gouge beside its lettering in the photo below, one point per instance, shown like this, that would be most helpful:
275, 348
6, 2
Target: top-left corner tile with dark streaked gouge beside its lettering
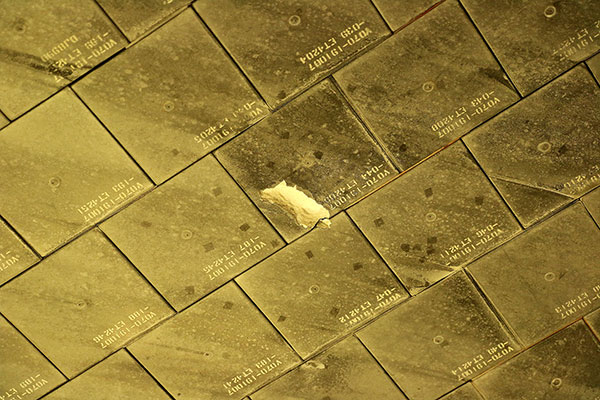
48, 44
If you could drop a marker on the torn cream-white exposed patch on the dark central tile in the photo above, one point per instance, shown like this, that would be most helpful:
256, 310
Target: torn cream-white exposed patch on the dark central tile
304, 209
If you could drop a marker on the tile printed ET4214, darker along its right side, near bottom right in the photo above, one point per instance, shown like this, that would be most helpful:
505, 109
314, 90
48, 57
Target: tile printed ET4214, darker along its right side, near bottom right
438, 339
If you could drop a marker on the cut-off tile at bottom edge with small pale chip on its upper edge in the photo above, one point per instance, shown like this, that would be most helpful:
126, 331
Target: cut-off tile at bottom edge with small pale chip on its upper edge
345, 371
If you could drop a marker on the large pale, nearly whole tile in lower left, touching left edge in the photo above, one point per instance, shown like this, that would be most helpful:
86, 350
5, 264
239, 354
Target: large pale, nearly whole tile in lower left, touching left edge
82, 303
